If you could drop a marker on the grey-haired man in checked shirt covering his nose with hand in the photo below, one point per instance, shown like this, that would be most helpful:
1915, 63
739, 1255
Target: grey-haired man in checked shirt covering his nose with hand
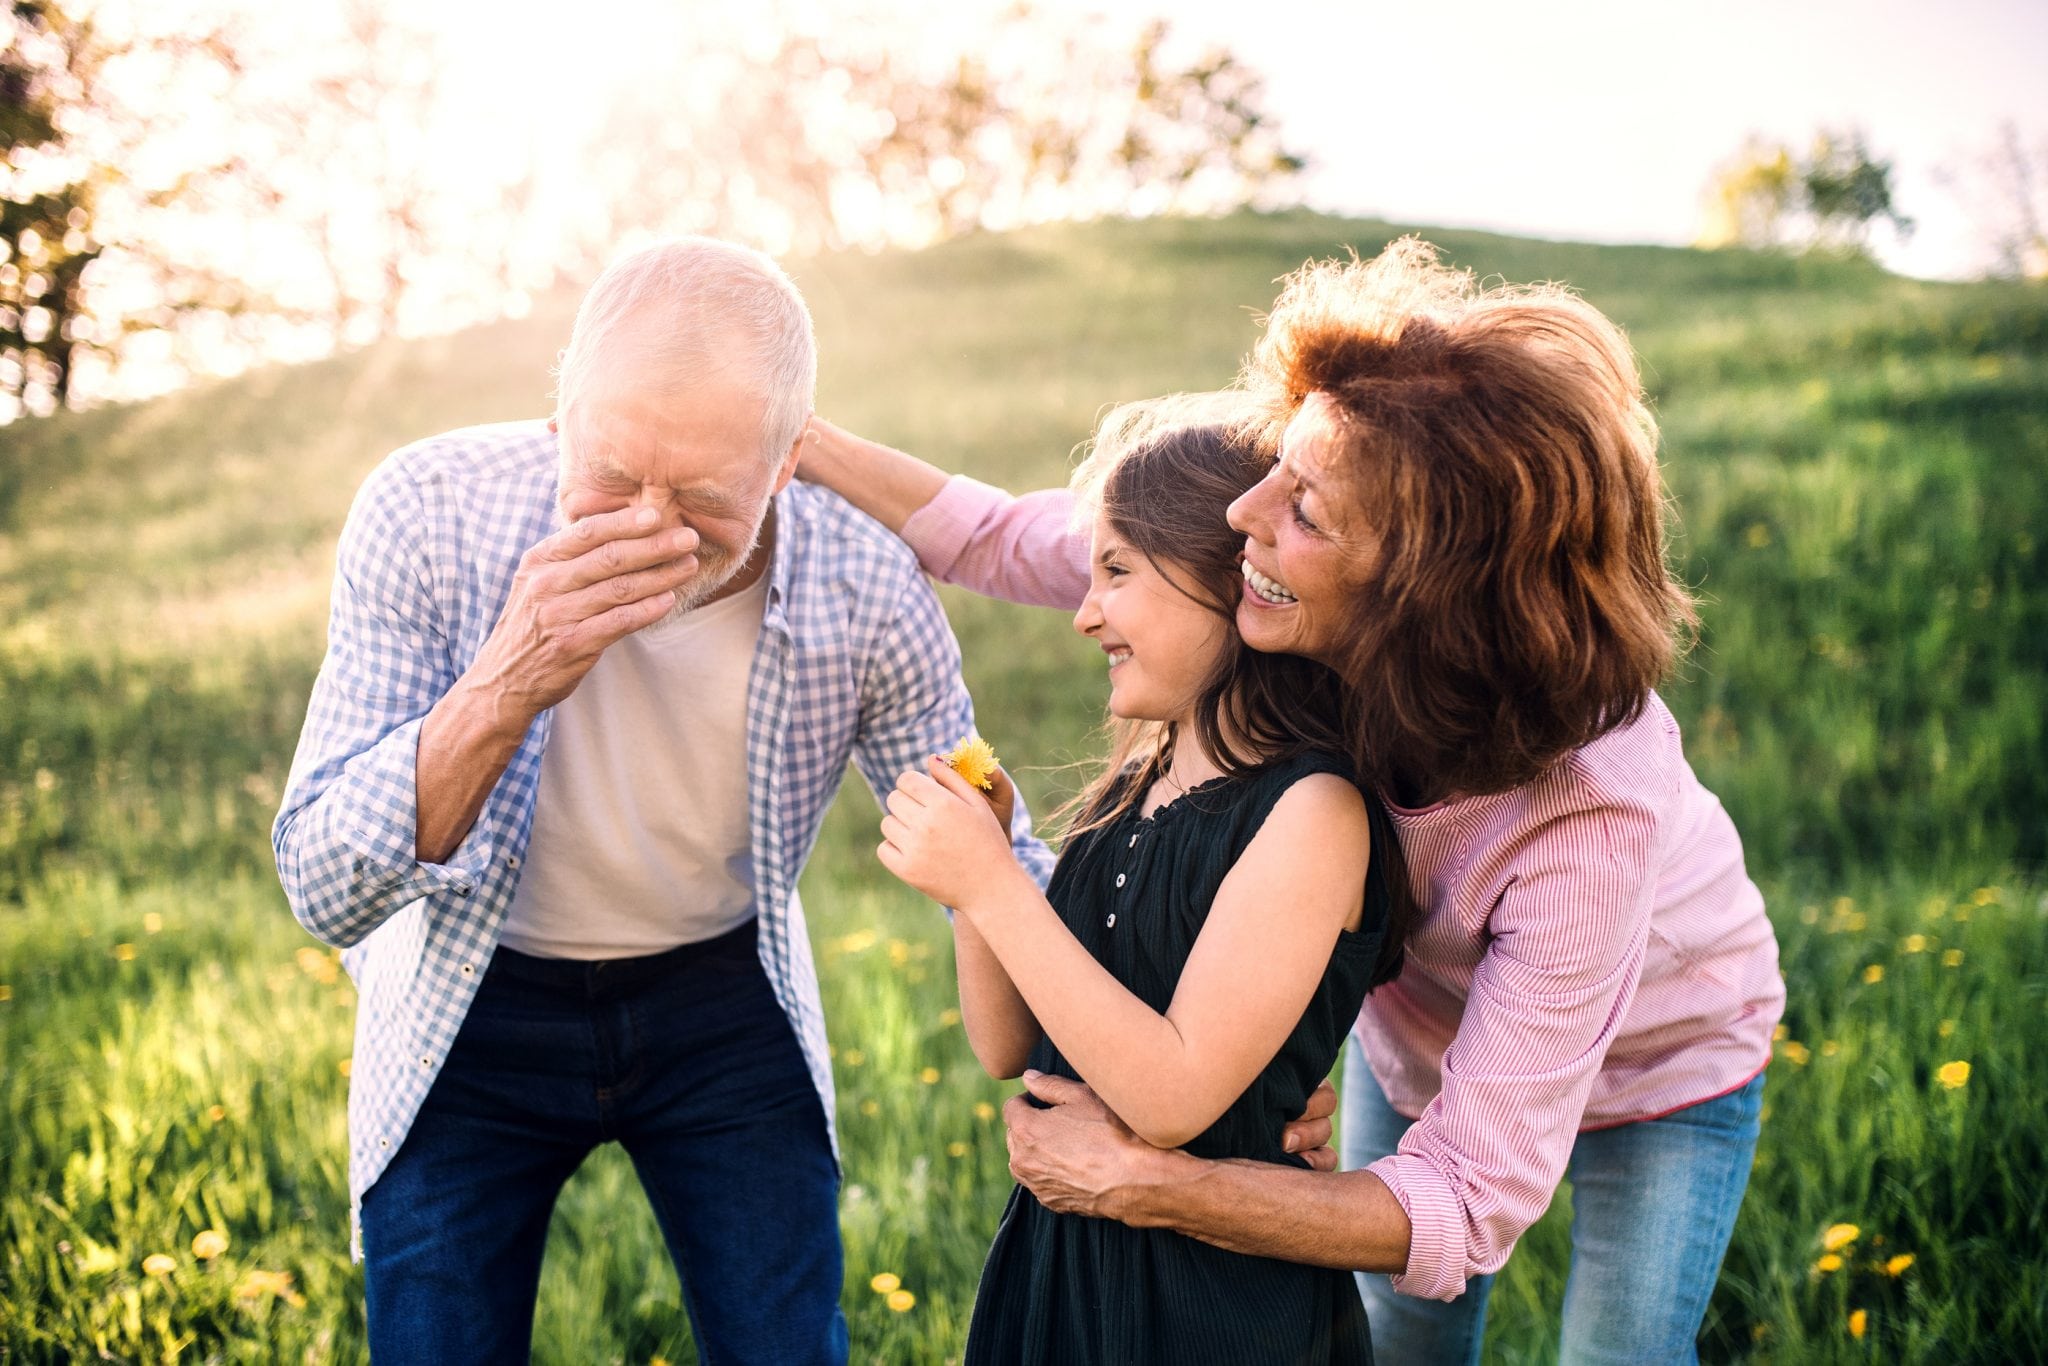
591, 687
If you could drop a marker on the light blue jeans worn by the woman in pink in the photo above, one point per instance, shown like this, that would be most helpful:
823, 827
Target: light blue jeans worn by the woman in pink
1652, 1213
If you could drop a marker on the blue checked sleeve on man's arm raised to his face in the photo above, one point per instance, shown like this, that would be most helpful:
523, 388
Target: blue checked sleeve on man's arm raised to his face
347, 833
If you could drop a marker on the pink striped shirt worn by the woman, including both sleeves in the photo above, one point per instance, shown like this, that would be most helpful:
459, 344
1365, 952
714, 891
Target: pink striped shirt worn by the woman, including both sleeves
1592, 951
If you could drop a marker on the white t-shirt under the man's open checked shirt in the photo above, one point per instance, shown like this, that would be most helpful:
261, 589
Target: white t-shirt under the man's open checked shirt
640, 826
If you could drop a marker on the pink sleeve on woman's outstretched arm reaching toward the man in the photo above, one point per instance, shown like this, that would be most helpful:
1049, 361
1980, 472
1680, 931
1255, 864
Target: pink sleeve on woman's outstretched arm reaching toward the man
1000, 546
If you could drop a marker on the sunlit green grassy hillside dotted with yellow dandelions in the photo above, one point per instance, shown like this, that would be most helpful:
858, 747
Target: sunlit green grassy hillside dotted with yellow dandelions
1861, 476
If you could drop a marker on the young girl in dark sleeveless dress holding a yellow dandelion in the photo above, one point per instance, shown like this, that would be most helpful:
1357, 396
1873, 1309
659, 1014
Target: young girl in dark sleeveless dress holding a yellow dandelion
1205, 943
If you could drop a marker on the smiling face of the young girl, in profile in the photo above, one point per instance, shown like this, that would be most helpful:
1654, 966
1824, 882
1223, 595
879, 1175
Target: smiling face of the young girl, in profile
1162, 644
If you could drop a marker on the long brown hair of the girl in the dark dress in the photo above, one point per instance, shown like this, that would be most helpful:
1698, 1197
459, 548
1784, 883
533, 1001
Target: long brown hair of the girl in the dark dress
1164, 474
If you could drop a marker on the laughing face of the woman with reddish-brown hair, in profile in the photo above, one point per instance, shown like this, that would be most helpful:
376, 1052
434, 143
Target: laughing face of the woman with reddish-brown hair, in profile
1306, 546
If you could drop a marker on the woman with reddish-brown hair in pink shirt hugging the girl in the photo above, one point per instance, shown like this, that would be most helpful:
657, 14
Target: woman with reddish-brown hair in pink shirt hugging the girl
1465, 521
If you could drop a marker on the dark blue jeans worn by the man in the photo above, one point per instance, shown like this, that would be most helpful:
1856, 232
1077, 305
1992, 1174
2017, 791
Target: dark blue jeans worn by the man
691, 1066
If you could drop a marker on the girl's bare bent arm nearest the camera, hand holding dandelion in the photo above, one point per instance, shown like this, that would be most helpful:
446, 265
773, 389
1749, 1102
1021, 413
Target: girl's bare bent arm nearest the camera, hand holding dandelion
1248, 980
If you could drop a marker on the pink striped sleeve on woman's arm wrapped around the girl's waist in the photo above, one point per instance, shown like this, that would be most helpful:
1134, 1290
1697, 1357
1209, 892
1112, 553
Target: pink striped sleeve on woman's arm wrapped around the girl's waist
1566, 951
